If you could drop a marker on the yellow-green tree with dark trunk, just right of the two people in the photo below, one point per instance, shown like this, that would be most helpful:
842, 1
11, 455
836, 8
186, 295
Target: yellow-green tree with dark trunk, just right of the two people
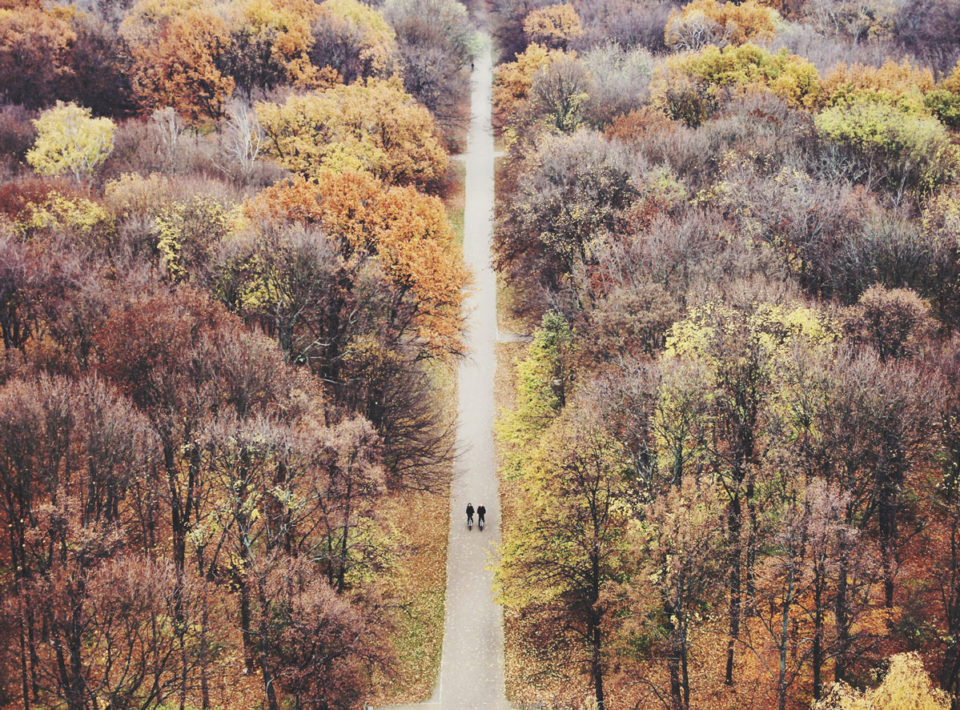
570, 543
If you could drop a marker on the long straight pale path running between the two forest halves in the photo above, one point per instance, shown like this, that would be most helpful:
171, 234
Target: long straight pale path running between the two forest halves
471, 668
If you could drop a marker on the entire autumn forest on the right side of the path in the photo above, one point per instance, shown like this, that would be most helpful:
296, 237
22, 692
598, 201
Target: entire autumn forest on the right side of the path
730, 452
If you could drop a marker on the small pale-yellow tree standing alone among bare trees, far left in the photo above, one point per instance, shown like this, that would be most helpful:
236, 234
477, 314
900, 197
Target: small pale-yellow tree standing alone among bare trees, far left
70, 140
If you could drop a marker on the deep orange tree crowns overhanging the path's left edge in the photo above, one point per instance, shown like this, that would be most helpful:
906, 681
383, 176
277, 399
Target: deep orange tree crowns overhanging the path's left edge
406, 230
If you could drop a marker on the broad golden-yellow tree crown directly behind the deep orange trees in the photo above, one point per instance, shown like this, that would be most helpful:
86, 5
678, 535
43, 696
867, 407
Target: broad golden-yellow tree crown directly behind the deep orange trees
373, 126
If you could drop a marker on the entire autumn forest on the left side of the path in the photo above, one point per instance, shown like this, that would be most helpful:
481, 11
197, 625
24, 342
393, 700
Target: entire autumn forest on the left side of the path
230, 294
